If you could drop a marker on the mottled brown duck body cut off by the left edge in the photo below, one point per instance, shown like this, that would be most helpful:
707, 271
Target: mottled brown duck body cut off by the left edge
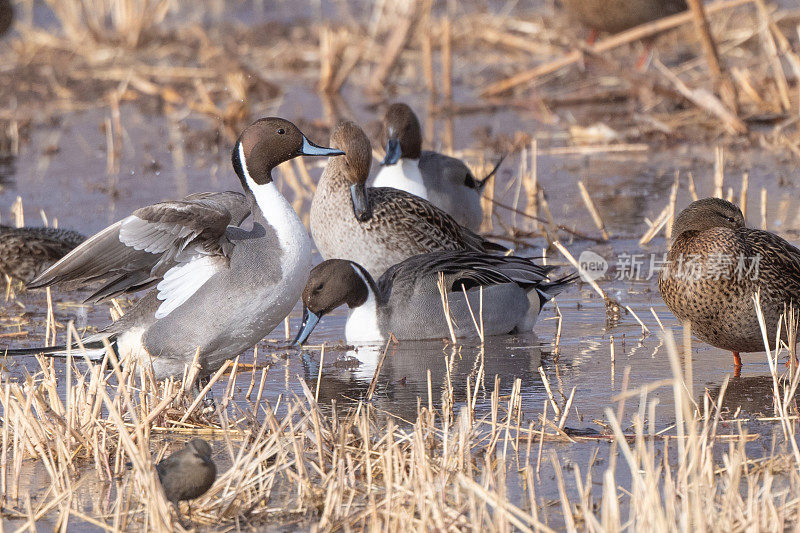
25, 252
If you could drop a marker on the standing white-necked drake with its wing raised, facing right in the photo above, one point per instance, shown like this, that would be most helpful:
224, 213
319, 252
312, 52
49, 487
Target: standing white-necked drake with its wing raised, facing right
219, 288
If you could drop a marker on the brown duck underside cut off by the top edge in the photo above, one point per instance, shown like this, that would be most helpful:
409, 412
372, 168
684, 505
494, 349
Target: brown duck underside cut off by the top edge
614, 16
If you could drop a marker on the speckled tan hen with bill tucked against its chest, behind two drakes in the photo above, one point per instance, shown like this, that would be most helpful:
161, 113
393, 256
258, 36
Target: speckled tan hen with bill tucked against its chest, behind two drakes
377, 227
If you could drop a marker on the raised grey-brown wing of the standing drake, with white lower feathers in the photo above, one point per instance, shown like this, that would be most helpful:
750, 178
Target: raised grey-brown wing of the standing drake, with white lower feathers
187, 236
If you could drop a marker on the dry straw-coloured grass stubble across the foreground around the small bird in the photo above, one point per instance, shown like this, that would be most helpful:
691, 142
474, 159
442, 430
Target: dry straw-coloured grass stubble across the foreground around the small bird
447, 470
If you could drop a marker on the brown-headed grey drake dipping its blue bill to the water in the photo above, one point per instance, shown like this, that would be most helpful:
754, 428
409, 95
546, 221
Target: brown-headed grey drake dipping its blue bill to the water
406, 301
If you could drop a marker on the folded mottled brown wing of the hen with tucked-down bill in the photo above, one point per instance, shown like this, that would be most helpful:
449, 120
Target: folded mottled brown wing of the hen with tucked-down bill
424, 223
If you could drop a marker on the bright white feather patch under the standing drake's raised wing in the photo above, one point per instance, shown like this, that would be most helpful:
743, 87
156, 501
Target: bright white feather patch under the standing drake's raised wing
183, 280
